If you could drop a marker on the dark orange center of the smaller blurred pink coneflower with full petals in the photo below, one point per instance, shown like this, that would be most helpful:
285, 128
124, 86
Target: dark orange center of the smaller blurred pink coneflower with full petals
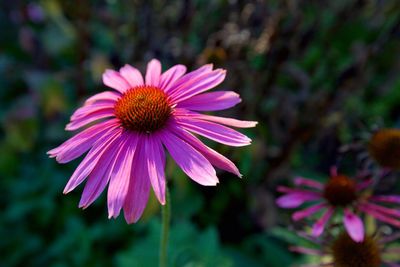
340, 191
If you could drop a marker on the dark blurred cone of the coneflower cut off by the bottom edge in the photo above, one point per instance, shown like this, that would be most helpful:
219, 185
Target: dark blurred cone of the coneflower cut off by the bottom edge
348, 253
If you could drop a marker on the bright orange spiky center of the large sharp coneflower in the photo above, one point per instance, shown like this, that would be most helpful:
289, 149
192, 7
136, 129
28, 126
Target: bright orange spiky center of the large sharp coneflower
143, 109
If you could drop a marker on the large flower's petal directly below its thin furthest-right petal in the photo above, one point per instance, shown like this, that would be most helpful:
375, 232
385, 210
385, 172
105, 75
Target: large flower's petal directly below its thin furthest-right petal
214, 132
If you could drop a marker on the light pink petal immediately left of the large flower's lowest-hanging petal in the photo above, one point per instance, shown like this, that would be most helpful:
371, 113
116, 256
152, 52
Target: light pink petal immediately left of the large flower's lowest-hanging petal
119, 179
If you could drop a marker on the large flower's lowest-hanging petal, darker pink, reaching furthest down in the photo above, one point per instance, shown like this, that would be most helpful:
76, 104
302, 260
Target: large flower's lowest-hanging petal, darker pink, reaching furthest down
139, 188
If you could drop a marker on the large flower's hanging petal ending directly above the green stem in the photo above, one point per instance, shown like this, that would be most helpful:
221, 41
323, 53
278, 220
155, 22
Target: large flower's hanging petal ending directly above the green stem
154, 152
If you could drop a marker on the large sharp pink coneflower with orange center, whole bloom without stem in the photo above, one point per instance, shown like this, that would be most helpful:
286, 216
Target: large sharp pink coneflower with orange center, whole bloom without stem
130, 127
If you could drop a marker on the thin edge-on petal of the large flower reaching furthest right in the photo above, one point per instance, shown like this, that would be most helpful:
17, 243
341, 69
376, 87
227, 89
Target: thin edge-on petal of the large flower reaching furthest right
186, 114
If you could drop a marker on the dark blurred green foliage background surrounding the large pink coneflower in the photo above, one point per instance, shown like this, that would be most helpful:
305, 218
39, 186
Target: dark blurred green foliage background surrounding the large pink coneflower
315, 74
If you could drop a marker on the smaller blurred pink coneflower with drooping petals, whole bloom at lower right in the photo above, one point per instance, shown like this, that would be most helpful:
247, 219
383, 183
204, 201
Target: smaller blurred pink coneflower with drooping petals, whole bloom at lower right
339, 193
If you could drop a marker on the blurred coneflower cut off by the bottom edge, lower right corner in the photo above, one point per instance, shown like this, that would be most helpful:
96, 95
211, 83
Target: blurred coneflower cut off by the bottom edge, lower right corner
342, 251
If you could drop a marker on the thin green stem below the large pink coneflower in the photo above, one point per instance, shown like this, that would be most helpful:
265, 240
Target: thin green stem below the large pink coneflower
166, 217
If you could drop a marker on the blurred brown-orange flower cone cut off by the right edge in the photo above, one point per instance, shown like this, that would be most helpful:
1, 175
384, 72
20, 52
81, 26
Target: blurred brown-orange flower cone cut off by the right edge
384, 147
